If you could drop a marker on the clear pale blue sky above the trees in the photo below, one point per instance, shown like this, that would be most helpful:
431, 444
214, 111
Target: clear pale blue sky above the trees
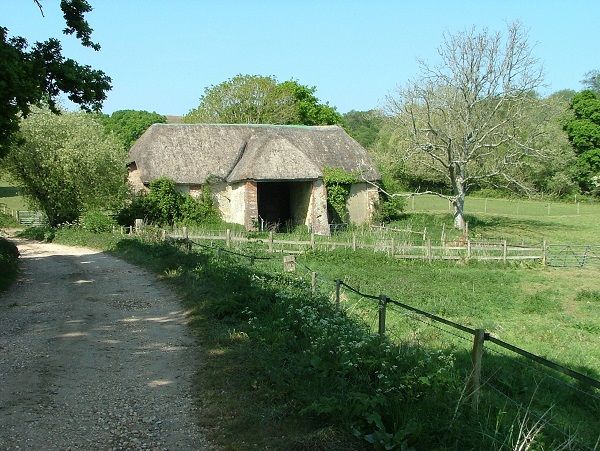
161, 54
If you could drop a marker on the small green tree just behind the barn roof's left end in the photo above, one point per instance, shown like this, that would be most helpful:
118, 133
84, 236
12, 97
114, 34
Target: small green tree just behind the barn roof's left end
129, 125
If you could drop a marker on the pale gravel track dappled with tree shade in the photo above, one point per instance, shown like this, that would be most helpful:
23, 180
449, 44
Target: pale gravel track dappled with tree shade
94, 354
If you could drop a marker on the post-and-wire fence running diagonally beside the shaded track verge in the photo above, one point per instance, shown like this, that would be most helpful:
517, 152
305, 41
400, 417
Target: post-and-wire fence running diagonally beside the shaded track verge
549, 394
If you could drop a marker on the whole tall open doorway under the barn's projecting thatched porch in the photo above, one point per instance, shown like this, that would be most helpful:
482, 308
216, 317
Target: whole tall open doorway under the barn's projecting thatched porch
282, 204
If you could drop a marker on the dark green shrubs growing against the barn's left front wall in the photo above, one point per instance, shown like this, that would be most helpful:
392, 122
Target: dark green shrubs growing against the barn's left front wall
164, 205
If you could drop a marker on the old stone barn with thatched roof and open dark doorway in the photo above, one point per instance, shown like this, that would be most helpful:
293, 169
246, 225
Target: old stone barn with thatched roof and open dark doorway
284, 162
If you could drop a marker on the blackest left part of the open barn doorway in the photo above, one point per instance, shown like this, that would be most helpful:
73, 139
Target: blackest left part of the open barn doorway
274, 204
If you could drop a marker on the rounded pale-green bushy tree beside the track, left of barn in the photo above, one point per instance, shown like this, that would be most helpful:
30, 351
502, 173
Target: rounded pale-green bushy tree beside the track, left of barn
66, 164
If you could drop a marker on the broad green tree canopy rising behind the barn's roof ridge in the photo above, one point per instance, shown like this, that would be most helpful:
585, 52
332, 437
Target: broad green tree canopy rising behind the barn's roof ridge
257, 99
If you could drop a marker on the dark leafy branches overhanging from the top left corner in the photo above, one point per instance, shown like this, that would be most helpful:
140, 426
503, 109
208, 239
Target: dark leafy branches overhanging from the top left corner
30, 75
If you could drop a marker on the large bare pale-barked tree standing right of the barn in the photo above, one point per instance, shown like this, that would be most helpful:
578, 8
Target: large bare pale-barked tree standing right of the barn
464, 117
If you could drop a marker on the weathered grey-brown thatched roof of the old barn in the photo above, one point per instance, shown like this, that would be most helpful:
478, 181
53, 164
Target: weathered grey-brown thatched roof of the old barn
191, 153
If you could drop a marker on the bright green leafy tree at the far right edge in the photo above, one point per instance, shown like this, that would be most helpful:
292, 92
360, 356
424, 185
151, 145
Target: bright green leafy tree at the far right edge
583, 130
